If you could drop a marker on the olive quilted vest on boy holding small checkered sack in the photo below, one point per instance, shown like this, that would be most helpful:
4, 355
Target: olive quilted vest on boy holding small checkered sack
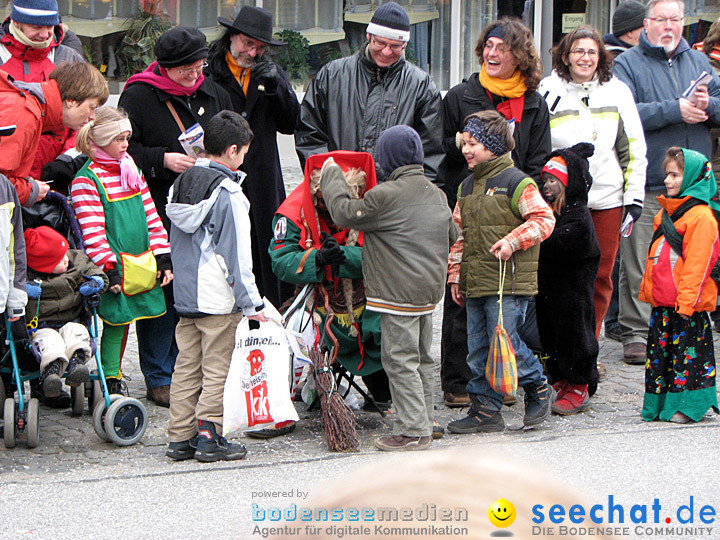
488, 202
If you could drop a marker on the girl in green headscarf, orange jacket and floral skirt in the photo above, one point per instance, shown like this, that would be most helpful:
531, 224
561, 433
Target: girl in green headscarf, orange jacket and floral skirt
680, 365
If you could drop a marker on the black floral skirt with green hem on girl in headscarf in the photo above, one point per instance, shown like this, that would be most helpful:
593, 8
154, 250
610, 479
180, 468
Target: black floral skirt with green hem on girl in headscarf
680, 366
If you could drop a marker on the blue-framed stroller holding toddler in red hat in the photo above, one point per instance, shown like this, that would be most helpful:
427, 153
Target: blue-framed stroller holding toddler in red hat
116, 418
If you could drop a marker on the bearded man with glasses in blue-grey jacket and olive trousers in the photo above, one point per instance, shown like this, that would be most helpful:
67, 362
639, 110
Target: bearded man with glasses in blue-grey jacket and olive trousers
657, 71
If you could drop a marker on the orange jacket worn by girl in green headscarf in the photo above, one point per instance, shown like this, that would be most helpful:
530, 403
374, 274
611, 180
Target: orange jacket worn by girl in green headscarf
683, 283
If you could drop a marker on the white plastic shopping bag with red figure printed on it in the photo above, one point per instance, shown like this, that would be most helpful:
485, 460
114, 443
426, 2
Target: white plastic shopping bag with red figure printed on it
257, 395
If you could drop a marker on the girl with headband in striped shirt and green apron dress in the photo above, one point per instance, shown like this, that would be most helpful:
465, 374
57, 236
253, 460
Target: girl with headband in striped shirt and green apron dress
122, 232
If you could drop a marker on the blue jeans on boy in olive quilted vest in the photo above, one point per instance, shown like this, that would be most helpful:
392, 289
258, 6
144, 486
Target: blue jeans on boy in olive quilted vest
483, 316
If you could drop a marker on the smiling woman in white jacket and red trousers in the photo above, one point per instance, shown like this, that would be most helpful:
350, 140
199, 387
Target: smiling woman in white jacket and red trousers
588, 104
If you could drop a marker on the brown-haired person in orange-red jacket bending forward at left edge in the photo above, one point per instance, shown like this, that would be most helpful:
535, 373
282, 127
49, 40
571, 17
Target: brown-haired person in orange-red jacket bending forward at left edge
68, 99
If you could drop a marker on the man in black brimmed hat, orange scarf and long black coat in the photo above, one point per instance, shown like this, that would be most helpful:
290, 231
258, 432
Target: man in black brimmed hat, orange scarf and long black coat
262, 94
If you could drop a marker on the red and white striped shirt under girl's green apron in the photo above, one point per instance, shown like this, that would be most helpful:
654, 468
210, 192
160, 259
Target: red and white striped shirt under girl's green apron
91, 215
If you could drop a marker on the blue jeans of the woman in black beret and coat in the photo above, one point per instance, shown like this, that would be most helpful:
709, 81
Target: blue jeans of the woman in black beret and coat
157, 348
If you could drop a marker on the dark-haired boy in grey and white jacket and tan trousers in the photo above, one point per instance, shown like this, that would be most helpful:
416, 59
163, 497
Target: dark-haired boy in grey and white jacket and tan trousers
214, 287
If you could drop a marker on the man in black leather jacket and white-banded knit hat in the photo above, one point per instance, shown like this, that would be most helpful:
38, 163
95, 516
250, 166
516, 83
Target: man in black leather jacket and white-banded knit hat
352, 100
